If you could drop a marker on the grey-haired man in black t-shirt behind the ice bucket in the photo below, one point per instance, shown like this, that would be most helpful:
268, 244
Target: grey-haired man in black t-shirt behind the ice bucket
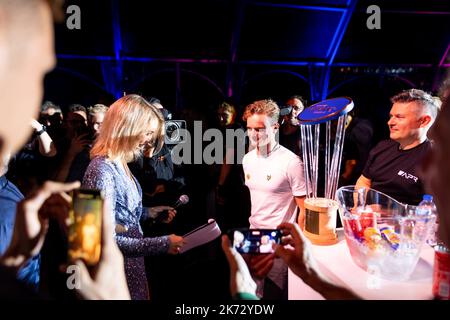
392, 164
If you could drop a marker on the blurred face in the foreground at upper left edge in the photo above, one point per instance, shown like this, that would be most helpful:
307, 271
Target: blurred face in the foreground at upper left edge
26, 55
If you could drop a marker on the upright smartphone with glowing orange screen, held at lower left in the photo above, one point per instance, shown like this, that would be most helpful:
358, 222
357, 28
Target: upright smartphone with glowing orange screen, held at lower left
85, 226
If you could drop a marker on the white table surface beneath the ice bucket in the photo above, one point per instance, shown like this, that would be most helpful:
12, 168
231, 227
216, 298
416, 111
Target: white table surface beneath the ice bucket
336, 263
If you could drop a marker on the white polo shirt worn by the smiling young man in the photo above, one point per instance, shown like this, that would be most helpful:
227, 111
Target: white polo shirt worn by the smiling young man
273, 182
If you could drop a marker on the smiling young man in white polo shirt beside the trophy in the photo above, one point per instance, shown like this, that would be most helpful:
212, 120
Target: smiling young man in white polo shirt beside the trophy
274, 176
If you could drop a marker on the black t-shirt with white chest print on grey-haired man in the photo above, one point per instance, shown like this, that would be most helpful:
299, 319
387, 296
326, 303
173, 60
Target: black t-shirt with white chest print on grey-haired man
395, 172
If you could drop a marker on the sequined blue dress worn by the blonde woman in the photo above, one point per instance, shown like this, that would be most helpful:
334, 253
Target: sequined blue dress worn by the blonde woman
125, 198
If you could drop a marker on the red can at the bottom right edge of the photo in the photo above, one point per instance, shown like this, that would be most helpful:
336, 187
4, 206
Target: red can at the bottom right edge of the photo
441, 273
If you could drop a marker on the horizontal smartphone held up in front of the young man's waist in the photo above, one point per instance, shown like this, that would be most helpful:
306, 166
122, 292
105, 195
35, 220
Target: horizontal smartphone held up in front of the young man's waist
255, 241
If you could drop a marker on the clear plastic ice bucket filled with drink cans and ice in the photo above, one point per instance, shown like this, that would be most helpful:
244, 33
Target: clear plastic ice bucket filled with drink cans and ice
383, 235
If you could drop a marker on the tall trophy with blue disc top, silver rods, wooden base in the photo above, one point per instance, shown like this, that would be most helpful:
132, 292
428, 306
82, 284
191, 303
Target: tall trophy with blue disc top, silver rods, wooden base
321, 211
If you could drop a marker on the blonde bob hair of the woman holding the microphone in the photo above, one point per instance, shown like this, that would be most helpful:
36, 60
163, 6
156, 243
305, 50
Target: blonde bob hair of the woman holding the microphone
125, 122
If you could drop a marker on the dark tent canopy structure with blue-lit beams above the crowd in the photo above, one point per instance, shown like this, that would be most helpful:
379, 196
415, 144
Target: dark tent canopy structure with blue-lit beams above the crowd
232, 48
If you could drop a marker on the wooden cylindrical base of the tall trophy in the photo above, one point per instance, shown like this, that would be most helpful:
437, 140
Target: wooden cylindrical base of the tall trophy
320, 221
